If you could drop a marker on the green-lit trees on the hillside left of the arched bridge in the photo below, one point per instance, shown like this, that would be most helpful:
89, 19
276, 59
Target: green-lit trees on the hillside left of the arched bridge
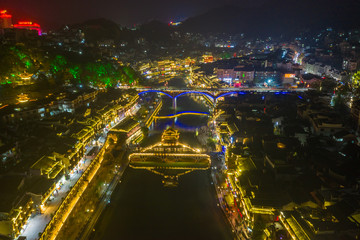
56, 68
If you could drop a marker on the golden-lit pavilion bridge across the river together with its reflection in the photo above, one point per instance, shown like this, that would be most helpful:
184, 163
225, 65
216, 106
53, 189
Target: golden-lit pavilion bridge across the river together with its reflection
170, 158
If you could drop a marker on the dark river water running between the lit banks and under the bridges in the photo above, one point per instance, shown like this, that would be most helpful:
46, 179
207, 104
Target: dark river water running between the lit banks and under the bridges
142, 208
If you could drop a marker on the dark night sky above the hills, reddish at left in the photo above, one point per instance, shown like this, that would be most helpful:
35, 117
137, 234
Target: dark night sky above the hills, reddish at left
52, 13
